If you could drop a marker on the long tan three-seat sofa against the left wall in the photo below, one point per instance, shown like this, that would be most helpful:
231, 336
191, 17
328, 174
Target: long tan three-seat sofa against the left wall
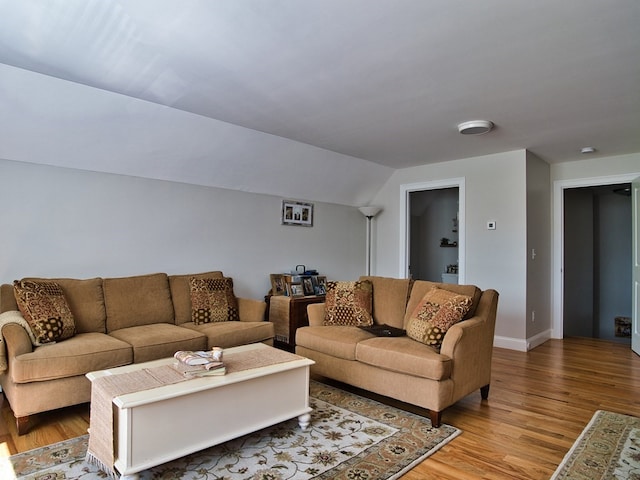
118, 321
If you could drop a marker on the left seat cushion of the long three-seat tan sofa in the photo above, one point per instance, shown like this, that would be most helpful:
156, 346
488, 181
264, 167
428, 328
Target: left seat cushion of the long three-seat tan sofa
81, 354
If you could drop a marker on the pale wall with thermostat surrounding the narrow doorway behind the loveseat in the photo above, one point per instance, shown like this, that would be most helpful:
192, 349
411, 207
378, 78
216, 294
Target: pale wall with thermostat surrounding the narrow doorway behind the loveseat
495, 190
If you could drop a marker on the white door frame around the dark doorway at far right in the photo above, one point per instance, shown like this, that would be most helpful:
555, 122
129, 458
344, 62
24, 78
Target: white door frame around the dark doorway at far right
557, 282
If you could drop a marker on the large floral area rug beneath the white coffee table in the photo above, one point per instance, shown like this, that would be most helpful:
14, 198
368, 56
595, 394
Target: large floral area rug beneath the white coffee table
350, 437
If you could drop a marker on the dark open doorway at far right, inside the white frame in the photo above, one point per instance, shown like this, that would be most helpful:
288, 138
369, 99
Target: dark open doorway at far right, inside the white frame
597, 262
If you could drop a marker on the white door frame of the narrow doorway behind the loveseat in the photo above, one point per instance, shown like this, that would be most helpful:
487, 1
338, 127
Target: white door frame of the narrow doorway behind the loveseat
405, 220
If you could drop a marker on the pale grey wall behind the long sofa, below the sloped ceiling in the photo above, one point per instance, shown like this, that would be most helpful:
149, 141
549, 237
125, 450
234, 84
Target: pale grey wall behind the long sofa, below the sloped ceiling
74, 223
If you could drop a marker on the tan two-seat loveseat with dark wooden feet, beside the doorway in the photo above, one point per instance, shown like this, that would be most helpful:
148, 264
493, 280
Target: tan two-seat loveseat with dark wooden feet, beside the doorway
401, 367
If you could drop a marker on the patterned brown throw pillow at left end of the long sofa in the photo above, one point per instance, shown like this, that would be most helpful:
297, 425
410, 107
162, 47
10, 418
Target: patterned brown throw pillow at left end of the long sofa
45, 308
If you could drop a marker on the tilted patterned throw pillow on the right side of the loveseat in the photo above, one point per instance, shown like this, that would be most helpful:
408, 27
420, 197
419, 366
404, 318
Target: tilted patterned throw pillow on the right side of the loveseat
438, 310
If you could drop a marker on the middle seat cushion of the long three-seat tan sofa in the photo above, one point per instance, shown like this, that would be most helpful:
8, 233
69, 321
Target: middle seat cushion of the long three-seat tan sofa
151, 342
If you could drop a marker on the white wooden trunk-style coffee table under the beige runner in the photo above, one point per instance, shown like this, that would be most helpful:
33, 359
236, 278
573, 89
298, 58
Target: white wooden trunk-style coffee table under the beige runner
155, 426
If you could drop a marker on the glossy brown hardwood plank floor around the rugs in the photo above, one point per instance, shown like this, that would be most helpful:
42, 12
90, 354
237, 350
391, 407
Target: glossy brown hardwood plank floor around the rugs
539, 403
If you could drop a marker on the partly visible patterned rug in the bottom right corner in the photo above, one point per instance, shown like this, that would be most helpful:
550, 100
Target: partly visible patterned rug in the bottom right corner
608, 448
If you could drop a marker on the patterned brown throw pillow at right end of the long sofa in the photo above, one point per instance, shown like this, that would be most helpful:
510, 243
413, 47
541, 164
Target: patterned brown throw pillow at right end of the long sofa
212, 300
